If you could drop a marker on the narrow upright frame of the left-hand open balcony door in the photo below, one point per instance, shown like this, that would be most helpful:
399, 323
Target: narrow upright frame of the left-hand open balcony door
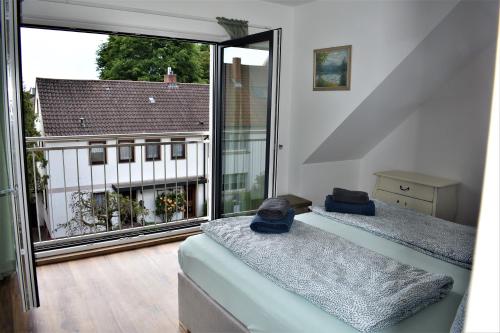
16, 149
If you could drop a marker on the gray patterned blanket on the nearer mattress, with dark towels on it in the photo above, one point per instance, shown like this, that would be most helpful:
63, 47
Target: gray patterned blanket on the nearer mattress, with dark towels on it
361, 287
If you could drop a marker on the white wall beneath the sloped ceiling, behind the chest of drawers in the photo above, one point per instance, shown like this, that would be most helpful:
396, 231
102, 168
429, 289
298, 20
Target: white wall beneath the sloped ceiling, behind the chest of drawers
445, 137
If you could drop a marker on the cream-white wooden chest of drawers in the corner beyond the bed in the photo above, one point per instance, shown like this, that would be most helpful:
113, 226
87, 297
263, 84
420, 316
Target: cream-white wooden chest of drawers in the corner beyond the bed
426, 194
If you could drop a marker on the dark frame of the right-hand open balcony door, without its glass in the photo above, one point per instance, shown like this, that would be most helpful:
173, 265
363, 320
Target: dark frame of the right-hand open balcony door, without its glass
273, 36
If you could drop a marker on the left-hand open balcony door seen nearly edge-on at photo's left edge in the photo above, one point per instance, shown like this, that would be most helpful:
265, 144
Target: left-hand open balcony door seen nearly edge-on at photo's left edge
13, 166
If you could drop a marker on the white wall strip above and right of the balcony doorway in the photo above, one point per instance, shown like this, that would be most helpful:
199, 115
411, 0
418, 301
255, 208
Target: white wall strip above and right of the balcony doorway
194, 20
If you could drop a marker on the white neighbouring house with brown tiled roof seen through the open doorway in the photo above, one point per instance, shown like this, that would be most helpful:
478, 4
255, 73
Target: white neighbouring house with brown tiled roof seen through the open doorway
86, 113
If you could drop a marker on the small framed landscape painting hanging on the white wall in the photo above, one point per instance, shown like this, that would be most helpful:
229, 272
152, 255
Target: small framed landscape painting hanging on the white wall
332, 68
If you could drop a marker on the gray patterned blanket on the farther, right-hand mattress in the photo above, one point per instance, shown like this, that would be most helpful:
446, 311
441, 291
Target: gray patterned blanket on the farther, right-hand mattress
445, 240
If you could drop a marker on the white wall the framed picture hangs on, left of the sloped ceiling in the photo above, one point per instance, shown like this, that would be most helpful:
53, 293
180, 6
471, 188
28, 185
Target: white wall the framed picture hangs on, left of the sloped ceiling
382, 34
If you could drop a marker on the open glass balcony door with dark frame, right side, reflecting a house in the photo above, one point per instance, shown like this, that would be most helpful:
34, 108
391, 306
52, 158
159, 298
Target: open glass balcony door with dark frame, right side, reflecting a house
245, 119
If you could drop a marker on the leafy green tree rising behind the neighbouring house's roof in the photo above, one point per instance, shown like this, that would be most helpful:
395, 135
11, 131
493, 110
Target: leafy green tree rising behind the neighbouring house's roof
147, 59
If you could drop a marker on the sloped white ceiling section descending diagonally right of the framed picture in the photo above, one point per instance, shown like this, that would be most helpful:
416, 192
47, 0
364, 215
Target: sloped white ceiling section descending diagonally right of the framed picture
468, 29
